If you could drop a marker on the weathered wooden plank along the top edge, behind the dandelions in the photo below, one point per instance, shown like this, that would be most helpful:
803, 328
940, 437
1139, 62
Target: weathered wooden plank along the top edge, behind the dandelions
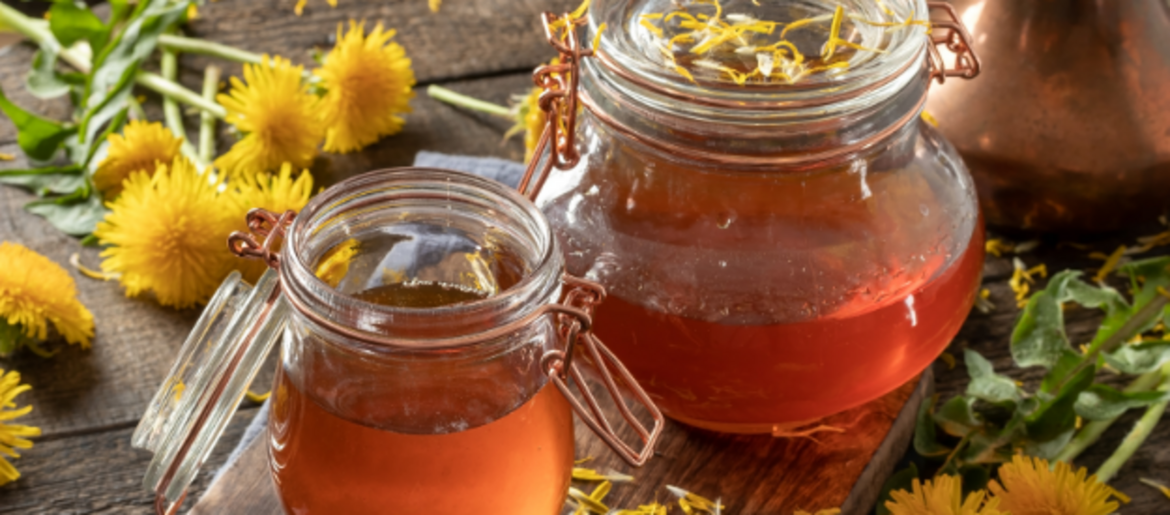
466, 38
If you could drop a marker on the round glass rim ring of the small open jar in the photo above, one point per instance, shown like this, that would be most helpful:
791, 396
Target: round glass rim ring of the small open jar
308, 293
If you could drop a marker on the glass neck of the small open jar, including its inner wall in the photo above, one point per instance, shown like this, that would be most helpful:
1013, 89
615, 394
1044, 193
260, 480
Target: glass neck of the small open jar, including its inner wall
444, 218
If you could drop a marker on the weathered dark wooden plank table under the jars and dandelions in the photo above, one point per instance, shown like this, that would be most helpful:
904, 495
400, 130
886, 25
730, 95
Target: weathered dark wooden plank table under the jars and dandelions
88, 402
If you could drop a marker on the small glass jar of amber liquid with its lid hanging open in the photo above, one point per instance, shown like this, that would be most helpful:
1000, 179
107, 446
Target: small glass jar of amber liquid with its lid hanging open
423, 355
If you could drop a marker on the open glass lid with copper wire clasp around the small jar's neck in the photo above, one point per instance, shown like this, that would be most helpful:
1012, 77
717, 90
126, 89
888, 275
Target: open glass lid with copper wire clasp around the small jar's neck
242, 324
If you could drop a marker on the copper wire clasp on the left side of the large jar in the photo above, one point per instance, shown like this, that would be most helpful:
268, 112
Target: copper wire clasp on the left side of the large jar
559, 101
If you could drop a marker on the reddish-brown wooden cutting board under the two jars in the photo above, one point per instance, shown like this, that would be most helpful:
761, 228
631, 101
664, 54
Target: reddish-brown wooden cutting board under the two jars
753, 476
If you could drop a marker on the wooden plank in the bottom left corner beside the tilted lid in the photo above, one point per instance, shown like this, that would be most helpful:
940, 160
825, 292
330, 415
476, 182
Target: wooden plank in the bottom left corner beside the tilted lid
98, 473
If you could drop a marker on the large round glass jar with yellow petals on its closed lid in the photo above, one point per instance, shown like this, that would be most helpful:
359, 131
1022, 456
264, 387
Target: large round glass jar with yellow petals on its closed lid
776, 250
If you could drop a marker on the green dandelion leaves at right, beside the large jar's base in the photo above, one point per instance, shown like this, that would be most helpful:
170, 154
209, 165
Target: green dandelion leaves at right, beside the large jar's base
1070, 409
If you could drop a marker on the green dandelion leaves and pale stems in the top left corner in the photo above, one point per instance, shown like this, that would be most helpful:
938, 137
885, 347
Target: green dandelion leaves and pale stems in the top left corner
107, 59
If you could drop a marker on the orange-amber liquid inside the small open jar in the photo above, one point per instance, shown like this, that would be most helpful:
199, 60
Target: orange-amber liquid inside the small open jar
517, 465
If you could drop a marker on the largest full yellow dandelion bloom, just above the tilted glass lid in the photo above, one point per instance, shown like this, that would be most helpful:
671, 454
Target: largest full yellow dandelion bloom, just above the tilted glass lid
168, 235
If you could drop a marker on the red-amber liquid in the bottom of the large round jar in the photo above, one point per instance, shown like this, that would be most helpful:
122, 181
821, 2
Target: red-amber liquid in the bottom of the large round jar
796, 373
